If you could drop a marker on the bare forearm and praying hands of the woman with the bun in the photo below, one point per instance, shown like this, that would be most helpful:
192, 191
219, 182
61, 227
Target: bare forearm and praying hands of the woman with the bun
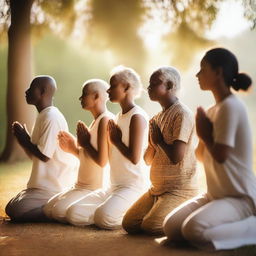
204, 128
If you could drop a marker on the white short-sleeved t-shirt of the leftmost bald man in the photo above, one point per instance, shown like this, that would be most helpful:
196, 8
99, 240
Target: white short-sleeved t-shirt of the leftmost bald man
58, 172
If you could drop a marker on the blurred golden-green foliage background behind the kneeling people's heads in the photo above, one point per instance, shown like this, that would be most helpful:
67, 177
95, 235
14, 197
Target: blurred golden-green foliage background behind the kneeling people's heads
76, 40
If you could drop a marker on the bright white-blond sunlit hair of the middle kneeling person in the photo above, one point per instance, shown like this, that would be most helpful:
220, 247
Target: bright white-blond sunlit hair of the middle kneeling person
128, 76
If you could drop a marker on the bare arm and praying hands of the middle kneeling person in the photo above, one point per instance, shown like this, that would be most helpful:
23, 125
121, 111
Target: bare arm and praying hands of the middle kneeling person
136, 133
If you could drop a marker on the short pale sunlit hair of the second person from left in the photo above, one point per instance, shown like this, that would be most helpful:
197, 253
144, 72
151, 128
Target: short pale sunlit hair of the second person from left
98, 86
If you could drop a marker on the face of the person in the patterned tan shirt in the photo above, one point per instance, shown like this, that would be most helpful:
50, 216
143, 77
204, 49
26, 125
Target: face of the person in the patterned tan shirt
156, 87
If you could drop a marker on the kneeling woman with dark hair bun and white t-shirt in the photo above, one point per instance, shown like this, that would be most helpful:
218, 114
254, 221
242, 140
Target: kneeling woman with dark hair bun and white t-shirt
224, 217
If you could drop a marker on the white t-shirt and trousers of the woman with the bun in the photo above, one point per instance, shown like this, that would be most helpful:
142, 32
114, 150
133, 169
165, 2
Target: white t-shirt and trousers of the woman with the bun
225, 217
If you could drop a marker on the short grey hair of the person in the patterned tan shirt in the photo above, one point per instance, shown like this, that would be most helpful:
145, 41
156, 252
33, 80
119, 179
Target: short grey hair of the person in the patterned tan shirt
169, 74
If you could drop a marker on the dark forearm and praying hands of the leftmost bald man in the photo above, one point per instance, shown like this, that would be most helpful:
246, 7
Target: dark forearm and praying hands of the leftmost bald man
24, 140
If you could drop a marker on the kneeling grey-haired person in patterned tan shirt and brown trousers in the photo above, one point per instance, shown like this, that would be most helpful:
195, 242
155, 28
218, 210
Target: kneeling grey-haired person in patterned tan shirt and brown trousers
171, 156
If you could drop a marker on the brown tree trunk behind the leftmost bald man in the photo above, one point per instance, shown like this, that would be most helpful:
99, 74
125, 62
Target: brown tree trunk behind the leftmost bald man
19, 76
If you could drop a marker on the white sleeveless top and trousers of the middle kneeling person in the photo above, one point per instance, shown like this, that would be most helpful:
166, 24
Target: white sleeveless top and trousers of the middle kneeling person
106, 208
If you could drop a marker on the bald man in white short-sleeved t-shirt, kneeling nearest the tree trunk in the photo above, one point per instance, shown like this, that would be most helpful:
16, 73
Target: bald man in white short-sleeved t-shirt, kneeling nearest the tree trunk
52, 169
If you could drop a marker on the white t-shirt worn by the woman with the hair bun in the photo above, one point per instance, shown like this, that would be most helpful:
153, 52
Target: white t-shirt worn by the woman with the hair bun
234, 177
